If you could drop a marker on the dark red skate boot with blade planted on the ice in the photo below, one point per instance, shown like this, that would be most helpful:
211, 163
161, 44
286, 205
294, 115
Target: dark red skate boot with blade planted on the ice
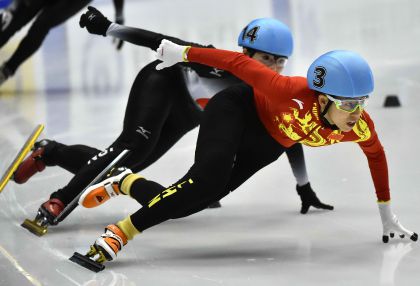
45, 216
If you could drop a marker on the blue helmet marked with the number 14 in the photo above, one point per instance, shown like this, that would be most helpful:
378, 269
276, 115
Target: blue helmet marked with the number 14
267, 35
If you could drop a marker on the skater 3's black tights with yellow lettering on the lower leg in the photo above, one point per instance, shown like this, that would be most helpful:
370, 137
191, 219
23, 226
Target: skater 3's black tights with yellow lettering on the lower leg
230, 128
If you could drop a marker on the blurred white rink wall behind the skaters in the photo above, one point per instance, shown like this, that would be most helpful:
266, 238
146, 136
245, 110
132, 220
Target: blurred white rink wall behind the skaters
385, 32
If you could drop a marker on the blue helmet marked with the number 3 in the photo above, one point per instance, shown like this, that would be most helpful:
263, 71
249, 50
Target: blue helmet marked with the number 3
341, 73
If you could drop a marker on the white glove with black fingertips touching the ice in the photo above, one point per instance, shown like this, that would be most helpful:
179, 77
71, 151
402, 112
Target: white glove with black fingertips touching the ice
391, 225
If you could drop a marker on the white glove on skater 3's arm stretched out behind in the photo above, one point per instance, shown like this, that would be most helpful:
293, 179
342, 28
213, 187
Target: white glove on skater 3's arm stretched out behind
170, 53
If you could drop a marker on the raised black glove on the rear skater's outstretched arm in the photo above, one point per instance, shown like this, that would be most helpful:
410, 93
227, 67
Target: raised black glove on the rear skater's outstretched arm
94, 21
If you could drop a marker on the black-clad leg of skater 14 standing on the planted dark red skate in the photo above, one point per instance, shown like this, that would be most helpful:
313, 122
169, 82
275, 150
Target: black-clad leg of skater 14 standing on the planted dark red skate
157, 99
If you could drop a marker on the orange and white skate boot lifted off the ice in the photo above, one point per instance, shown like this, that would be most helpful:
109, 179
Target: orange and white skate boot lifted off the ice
99, 193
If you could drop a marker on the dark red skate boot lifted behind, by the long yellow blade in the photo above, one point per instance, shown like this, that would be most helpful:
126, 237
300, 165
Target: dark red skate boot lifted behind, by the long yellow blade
32, 164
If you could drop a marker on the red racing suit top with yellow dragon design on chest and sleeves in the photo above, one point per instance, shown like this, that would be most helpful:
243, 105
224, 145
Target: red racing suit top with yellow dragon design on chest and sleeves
290, 111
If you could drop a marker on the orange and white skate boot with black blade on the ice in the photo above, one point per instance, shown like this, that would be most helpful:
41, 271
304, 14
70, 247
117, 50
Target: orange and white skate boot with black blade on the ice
104, 249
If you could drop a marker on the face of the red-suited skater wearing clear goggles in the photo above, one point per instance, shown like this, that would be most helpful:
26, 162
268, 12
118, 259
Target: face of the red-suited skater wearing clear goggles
344, 114
